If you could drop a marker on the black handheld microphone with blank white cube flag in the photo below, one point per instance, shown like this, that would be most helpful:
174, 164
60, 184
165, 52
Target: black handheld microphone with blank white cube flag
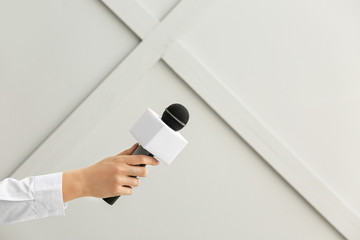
159, 136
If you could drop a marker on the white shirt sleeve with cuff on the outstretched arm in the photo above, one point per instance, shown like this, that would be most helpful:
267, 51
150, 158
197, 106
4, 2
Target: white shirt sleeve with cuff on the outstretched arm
31, 198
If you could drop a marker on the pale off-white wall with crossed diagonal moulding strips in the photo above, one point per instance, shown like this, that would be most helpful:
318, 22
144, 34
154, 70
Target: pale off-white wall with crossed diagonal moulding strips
294, 66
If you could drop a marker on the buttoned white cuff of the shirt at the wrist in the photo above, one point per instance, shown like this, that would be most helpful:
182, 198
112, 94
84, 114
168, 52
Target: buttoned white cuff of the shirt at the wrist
48, 195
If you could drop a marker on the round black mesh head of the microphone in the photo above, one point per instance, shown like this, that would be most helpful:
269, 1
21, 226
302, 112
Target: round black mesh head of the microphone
175, 116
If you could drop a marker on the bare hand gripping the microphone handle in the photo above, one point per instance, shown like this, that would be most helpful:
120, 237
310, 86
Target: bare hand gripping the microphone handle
110, 177
